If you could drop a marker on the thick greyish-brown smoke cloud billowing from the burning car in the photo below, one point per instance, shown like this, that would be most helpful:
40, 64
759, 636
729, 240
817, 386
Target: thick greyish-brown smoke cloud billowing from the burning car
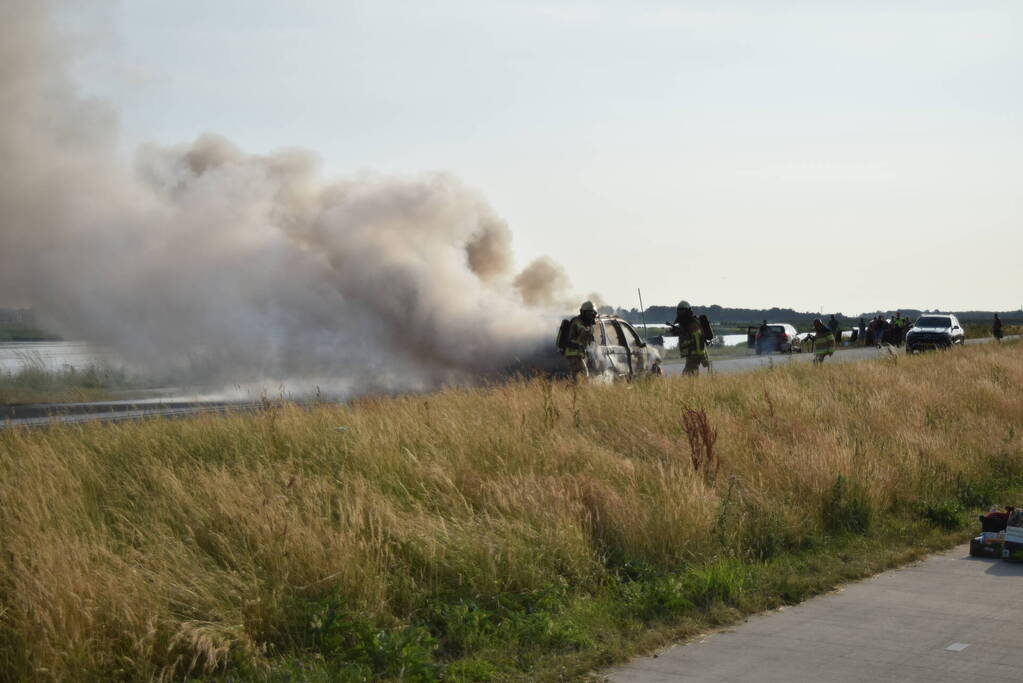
207, 264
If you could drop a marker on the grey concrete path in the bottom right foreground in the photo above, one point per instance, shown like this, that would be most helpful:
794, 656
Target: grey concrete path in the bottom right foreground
952, 618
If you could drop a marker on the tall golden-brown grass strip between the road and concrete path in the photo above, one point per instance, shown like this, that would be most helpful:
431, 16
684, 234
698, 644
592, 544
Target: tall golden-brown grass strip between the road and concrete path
524, 532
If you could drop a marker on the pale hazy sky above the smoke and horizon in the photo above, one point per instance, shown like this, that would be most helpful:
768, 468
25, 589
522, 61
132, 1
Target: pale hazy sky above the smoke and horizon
844, 156
